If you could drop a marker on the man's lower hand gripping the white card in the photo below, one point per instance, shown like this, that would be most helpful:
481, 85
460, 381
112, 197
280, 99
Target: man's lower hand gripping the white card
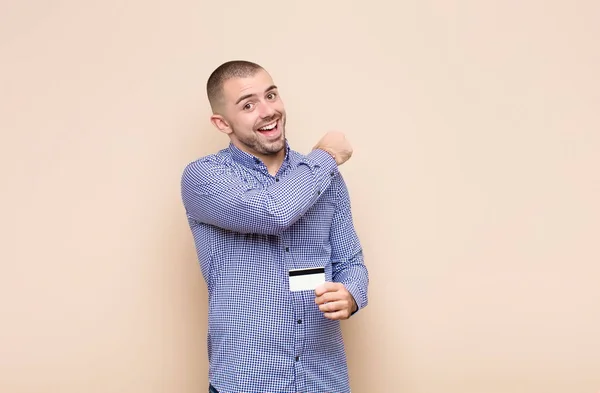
335, 301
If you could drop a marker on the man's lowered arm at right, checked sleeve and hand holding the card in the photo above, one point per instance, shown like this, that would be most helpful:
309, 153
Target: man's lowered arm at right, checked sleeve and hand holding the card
348, 292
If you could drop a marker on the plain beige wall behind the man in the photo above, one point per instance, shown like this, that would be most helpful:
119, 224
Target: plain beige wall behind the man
475, 184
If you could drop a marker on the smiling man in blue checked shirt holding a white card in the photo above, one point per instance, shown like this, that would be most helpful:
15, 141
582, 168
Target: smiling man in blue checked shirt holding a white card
258, 211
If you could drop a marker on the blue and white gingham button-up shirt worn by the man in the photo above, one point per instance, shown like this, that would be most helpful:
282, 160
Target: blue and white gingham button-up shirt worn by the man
250, 228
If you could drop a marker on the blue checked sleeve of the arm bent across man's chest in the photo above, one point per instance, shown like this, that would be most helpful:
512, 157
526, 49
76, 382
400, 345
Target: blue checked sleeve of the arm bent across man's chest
213, 194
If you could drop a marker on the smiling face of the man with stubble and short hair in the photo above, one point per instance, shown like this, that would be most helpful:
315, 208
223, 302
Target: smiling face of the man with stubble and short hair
253, 115
